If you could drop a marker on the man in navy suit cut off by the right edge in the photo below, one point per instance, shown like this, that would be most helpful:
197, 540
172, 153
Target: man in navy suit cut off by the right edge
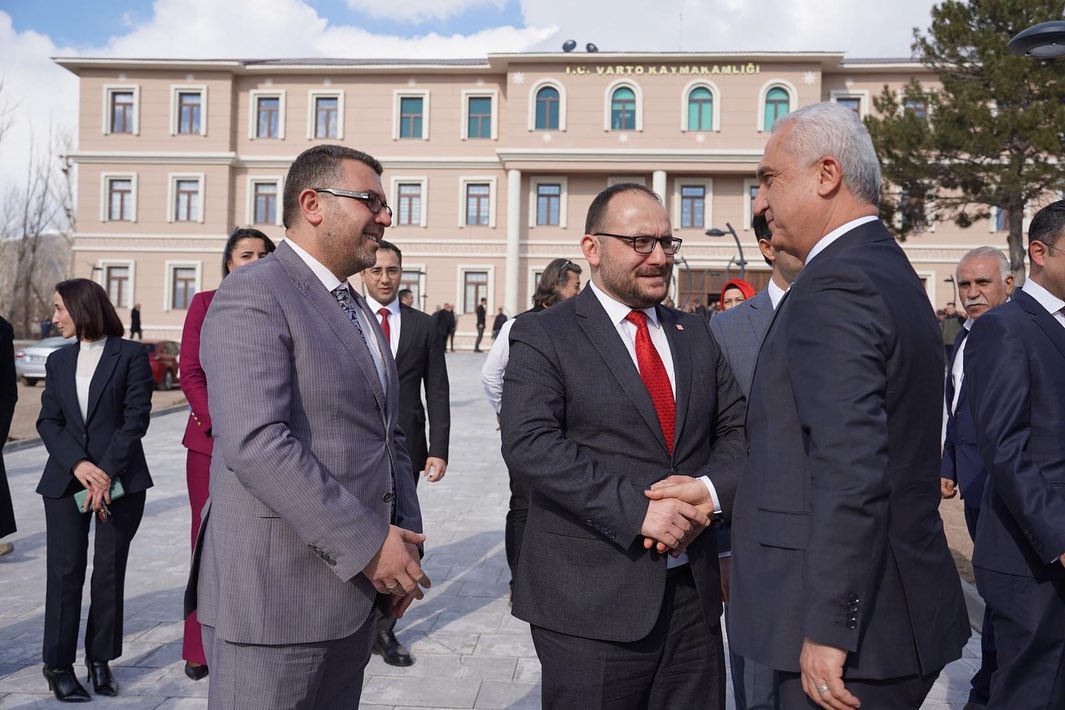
1015, 379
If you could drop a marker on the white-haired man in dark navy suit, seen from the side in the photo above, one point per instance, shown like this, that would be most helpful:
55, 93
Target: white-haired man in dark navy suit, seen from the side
842, 577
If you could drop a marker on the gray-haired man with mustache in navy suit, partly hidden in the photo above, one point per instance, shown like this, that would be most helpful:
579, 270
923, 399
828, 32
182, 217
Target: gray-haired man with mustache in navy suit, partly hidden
985, 283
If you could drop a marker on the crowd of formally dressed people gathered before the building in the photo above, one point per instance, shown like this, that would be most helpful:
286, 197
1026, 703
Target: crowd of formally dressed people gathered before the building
781, 464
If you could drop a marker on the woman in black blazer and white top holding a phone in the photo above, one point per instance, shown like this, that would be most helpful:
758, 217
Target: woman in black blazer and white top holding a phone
94, 412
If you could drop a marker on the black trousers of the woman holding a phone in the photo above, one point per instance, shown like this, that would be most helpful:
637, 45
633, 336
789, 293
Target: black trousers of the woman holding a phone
68, 547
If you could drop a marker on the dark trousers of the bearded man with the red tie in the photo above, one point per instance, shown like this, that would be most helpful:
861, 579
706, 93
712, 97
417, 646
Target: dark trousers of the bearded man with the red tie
680, 665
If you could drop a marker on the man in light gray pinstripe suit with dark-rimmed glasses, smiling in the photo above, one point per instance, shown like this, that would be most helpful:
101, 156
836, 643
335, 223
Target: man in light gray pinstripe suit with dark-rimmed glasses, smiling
313, 505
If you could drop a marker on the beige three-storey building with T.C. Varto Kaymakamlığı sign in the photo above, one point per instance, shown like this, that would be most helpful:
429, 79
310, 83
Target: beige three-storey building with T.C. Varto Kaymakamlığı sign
490, 163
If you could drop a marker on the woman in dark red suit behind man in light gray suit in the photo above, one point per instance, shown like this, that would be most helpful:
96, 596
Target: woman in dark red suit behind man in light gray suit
244, 246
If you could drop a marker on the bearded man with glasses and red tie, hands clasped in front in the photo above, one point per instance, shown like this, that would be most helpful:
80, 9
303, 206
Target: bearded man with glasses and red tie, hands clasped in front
605, 394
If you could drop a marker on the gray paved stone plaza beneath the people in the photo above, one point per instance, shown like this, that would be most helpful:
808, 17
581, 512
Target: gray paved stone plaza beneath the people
471, 652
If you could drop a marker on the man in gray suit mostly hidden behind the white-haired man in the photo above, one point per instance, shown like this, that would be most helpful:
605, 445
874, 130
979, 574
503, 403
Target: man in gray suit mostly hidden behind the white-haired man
739, 332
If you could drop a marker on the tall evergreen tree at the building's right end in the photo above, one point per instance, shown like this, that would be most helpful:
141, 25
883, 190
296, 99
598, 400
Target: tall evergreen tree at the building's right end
991, 137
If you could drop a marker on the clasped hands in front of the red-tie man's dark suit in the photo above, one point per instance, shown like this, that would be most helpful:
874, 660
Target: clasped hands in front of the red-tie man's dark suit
681, 508
